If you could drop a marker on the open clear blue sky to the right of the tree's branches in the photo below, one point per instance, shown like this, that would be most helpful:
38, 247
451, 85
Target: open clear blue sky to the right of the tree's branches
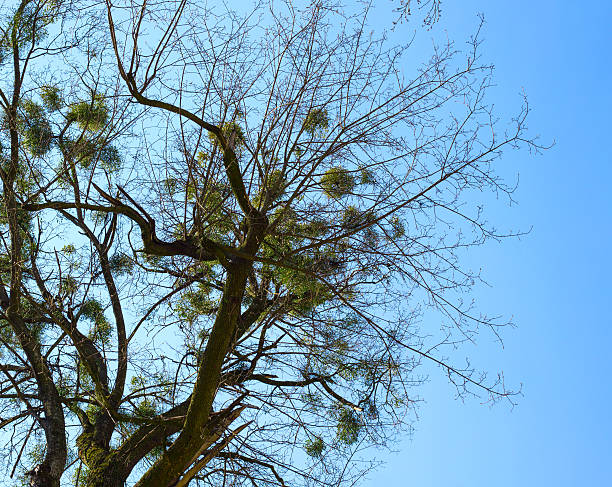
555, 282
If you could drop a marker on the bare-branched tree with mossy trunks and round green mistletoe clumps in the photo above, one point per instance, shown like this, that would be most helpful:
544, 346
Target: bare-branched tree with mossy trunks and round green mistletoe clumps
221, 231
